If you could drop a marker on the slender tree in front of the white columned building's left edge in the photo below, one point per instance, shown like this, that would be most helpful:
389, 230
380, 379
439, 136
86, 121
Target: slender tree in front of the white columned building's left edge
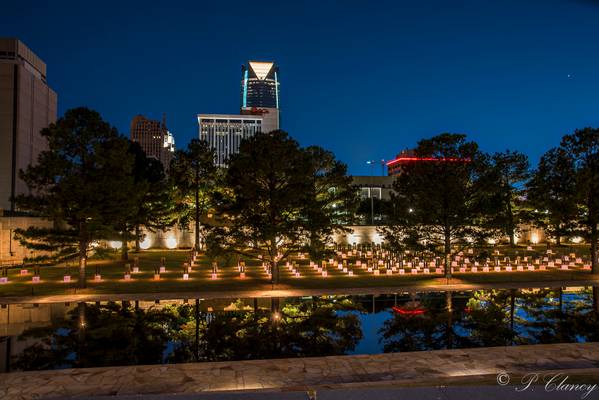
193, 174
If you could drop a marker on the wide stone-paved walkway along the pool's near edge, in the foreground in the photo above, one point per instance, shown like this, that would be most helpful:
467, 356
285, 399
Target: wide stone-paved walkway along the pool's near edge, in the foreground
302, 374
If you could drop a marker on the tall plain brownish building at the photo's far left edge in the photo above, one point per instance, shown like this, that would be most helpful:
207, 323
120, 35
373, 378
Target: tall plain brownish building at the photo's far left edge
27, 105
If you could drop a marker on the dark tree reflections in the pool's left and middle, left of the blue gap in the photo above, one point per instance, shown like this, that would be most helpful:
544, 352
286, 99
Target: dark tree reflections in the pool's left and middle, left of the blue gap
113, 334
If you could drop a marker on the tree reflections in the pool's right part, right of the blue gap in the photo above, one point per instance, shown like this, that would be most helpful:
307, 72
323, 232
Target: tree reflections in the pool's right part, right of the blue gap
495, 318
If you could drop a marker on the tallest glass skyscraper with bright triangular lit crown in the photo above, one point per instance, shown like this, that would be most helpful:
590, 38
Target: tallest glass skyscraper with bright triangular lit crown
260, 92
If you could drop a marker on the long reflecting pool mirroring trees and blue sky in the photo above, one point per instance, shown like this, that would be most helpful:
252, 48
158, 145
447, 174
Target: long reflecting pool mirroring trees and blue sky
67, 335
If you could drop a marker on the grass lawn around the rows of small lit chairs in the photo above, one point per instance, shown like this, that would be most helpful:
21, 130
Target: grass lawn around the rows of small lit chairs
112, 271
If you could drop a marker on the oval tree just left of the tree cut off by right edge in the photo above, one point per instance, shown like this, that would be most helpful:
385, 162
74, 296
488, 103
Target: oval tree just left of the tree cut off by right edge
551, 192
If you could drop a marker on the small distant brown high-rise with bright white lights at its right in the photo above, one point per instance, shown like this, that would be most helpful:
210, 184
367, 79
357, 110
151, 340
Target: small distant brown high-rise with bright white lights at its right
154, 138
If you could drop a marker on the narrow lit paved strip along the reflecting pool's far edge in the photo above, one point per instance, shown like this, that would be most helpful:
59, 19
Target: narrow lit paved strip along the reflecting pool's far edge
235, 294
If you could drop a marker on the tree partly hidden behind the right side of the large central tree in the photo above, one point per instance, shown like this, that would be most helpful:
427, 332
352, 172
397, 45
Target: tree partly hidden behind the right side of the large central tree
333, 200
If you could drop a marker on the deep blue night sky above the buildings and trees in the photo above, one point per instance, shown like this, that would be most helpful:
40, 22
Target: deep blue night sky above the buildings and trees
363, 79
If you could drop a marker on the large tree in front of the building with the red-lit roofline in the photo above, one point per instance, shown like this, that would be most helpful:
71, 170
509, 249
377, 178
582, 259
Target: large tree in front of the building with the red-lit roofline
439, 199
